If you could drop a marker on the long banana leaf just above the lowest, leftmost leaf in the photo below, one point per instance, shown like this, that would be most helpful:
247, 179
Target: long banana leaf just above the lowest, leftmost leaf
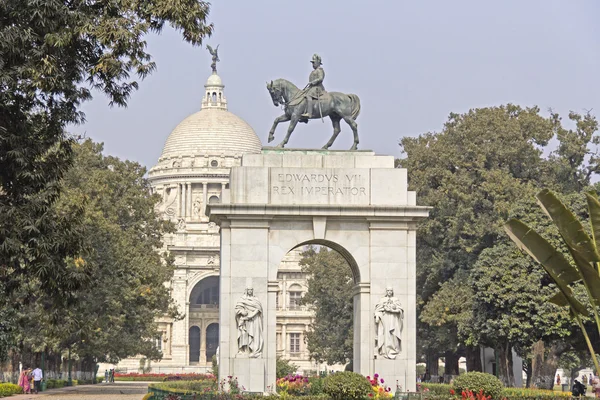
569, 226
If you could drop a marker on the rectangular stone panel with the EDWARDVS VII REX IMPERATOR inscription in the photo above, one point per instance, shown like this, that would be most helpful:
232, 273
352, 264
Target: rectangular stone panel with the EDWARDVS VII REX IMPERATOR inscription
319, 186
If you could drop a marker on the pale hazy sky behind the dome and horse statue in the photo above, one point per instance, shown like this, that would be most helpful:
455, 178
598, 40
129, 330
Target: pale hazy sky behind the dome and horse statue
411, 63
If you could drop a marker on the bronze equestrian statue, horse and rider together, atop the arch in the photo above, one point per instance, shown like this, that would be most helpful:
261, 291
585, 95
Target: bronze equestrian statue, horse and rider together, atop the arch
313, 102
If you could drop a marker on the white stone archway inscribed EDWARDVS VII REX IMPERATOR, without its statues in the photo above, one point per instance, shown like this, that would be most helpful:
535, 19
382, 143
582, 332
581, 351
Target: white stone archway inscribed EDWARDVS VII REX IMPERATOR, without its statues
356, 203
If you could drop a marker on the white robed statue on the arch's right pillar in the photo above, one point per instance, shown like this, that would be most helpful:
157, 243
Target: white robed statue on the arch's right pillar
389, 316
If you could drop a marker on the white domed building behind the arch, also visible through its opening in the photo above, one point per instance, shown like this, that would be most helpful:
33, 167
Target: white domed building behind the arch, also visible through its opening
192, 171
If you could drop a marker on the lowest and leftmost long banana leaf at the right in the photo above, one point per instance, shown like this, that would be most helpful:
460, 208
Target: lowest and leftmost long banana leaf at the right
556, 265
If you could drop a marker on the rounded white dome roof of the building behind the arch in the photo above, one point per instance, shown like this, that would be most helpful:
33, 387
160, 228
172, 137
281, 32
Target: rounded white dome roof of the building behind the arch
212, 131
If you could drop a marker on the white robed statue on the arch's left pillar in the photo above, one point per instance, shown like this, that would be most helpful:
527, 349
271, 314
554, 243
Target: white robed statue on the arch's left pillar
248, 317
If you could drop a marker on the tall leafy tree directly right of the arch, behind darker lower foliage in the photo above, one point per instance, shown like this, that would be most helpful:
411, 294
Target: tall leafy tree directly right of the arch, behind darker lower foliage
472, 174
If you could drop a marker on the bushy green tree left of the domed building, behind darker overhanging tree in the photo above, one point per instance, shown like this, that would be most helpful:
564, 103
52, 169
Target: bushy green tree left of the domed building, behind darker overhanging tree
113, 316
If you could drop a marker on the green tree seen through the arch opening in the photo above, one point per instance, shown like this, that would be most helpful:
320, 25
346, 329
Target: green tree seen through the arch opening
329, 294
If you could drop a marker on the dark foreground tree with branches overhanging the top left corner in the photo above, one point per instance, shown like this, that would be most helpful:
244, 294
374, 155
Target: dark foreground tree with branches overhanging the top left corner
52, 53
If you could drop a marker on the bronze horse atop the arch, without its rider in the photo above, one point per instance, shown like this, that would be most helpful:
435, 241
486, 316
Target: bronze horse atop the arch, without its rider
335, 105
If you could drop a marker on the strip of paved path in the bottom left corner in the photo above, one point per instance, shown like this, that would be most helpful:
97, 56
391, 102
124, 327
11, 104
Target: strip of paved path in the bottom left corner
101, 391
